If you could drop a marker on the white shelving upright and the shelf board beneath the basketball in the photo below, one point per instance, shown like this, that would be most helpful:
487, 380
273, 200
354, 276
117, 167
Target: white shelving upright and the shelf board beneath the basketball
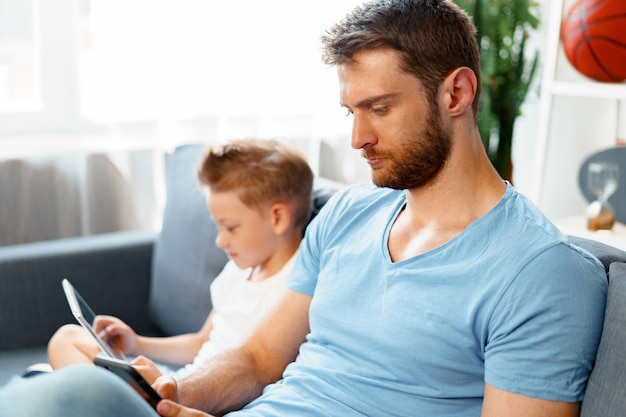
552, 87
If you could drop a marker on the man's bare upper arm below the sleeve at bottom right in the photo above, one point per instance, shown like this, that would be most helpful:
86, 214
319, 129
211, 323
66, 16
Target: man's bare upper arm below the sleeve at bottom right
499, 403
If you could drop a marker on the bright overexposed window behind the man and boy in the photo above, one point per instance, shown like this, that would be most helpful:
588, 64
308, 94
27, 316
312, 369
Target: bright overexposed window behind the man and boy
86, 65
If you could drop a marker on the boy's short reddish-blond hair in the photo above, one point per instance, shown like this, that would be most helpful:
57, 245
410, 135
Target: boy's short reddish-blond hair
261, 172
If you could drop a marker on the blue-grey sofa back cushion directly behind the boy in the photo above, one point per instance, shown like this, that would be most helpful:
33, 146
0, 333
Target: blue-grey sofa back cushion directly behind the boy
186, 259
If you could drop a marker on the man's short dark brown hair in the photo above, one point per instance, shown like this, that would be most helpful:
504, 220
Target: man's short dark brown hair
433, 38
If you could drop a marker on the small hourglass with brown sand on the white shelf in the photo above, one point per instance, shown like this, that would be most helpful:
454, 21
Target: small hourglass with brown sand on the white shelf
602, 179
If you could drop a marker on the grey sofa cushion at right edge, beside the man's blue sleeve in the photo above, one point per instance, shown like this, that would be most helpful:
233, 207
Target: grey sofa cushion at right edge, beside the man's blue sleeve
605, 395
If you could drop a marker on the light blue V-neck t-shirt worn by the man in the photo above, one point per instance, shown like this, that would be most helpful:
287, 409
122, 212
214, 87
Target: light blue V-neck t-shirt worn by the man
508, 302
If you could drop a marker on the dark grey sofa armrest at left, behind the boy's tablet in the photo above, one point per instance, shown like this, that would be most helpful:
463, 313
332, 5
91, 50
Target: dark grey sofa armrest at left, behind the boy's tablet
111, 271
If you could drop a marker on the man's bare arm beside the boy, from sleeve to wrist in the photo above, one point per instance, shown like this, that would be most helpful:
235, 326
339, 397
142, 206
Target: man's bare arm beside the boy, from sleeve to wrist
232, 379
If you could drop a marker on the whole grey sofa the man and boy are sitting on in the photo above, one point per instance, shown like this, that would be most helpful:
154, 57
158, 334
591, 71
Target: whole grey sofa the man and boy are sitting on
159, 284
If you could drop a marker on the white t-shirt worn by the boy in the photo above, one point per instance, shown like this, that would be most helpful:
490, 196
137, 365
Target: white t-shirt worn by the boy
239, 304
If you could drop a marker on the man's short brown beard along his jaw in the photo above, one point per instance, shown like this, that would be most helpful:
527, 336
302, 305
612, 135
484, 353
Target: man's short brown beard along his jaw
419, 161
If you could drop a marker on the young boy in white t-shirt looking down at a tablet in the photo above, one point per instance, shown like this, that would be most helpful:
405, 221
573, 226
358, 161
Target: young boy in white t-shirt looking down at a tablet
259, 194
